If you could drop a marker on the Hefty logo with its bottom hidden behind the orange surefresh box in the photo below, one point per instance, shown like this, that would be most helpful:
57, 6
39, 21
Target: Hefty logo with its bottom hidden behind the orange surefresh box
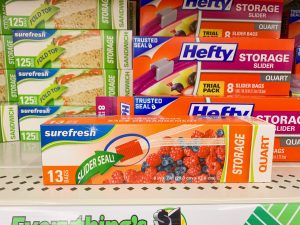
220, 110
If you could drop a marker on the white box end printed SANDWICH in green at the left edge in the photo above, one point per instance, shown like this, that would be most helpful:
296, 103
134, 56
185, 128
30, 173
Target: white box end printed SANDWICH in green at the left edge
9, 122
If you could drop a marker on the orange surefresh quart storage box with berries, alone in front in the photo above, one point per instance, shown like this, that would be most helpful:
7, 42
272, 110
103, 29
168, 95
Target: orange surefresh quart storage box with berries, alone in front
155, 149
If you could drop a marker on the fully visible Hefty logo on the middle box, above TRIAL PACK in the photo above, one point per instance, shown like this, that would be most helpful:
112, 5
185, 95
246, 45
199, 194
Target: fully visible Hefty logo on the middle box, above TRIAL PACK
208, 52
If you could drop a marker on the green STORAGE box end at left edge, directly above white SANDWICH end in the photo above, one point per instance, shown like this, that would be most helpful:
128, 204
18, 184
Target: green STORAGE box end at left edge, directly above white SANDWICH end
8, 86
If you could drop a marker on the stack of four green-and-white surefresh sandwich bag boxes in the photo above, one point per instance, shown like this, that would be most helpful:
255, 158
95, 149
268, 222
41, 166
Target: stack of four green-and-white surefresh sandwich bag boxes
66, 54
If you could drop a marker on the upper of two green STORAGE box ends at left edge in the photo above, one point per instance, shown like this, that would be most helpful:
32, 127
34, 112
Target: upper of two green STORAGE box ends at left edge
7, 59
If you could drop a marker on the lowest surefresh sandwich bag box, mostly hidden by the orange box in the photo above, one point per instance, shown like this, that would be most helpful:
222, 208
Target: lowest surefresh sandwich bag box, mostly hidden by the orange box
31, 117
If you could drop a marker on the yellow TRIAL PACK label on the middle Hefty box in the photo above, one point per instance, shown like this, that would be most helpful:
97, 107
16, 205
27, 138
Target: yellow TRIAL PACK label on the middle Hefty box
211, 88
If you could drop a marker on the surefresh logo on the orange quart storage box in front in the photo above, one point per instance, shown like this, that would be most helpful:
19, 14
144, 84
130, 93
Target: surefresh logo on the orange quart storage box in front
71, 133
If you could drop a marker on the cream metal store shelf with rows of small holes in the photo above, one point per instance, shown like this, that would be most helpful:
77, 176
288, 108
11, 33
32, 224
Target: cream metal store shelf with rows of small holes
21, 184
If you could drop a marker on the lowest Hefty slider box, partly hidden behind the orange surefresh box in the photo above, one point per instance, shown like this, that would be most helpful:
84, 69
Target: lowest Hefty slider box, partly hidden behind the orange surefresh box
284, 112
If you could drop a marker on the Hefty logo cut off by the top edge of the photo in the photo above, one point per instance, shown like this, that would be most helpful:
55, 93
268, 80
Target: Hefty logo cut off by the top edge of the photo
211, 5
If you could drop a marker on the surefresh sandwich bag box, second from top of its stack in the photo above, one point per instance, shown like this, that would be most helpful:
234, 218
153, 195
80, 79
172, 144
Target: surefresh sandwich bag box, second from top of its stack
73, 49
